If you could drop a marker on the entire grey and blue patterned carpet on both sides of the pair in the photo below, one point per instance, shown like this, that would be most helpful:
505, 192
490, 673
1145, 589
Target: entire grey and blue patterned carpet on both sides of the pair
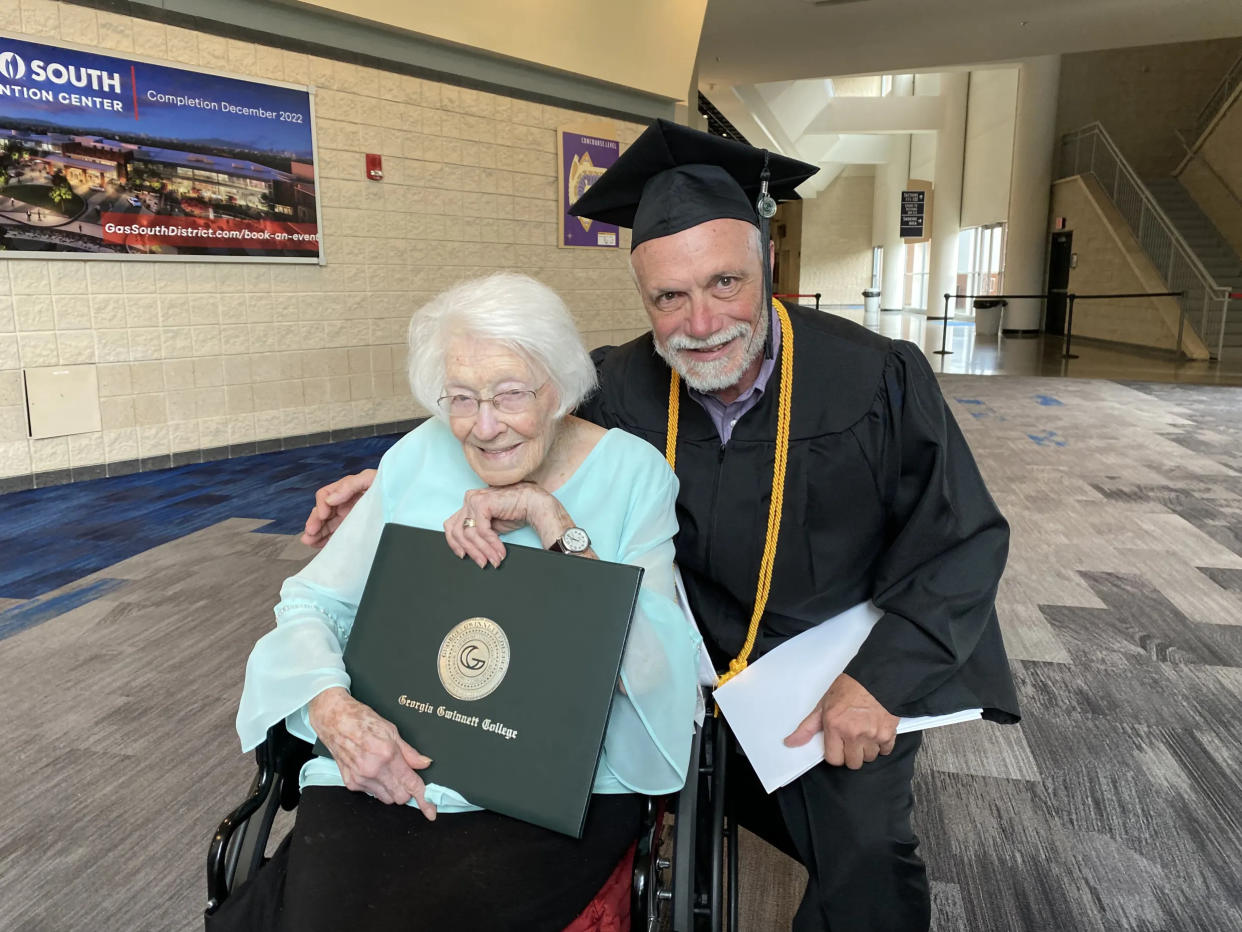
127, 608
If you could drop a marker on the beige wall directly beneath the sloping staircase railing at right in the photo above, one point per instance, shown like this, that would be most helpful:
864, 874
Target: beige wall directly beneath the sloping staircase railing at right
1111, 262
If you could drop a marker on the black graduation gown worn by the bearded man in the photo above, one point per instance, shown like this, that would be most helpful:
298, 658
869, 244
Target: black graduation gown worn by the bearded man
884, 501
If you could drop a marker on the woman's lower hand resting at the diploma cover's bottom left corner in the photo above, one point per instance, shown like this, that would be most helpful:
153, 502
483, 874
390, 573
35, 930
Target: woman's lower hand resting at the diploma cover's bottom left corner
372, 756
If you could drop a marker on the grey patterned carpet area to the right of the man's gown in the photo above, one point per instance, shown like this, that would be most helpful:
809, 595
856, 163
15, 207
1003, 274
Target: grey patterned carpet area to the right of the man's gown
1115, 805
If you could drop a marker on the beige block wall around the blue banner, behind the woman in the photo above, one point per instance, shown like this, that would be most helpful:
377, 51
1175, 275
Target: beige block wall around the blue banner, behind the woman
194, 356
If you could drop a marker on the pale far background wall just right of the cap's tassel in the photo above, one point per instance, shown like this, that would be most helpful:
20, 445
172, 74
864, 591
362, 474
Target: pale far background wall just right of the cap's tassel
836, 240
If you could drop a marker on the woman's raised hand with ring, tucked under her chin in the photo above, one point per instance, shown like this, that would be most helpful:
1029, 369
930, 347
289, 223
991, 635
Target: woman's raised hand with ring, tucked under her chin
475, 530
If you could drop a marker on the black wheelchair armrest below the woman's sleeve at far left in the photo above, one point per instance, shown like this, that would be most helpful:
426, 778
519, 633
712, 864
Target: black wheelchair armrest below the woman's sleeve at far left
280, 759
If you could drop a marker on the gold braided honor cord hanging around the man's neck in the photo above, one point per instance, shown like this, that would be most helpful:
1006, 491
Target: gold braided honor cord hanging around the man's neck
774, 510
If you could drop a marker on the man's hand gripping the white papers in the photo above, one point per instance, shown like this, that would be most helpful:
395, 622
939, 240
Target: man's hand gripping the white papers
856, 728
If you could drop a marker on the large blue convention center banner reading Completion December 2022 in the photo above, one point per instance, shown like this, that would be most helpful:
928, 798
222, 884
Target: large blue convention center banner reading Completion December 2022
117, 157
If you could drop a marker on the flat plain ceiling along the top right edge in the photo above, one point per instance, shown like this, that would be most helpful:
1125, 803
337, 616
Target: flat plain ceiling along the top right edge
757, 42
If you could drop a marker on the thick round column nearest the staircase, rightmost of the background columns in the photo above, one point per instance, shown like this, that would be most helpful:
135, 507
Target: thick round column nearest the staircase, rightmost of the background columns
1027, 248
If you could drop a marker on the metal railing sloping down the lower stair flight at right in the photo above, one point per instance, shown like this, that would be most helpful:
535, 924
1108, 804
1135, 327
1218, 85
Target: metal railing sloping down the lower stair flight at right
1205, 303
